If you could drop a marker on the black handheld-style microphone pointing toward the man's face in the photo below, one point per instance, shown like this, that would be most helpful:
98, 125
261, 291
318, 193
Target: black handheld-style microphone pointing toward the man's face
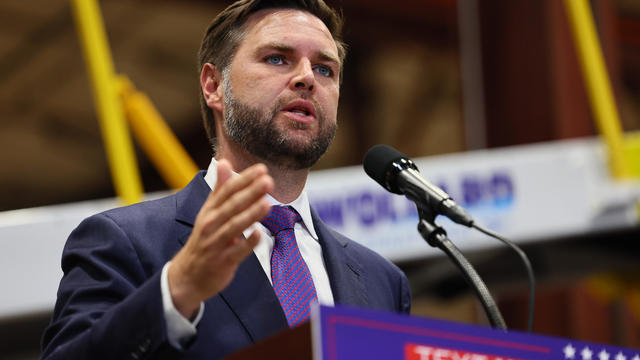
398, 174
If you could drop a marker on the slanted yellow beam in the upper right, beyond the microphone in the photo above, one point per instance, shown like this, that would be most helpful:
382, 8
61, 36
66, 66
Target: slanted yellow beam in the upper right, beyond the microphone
597, 82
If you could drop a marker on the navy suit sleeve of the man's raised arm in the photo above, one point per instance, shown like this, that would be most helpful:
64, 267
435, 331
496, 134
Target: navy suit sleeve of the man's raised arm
108, 307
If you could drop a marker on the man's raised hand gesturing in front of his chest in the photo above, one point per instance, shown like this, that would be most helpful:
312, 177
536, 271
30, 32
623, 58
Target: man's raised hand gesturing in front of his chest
216, 246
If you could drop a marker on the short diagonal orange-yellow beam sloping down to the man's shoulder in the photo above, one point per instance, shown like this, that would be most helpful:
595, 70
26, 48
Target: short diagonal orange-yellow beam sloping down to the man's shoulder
155, 137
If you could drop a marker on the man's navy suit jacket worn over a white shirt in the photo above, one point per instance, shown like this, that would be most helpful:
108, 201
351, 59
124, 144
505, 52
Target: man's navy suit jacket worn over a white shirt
109, 302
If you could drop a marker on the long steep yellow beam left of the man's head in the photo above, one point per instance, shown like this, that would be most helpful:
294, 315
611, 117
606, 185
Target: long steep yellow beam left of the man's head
117, 142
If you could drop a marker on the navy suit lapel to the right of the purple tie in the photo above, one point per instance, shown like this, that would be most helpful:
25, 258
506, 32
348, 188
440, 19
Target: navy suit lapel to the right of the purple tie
344, 271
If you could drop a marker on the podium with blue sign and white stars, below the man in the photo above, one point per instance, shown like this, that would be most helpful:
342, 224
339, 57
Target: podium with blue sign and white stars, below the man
337, 333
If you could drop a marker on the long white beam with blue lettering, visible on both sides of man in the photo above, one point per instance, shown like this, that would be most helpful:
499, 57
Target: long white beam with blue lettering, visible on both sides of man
527, 193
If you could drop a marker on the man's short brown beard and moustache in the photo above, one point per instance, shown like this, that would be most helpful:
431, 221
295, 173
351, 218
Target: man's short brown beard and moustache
257, 132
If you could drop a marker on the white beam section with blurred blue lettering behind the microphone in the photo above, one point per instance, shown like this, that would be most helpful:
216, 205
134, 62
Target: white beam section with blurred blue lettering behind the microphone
525, 193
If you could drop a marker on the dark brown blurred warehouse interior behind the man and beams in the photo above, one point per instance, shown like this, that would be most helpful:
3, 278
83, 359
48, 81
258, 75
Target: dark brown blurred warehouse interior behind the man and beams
429, 77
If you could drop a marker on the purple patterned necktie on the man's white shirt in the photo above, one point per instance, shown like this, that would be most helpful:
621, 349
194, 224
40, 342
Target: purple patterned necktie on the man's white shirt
291, 278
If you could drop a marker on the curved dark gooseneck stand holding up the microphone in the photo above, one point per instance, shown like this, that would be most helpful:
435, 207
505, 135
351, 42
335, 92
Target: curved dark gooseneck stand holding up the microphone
436, 236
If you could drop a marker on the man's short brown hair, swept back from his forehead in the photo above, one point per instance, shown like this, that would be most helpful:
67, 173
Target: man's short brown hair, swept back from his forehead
227, 30
